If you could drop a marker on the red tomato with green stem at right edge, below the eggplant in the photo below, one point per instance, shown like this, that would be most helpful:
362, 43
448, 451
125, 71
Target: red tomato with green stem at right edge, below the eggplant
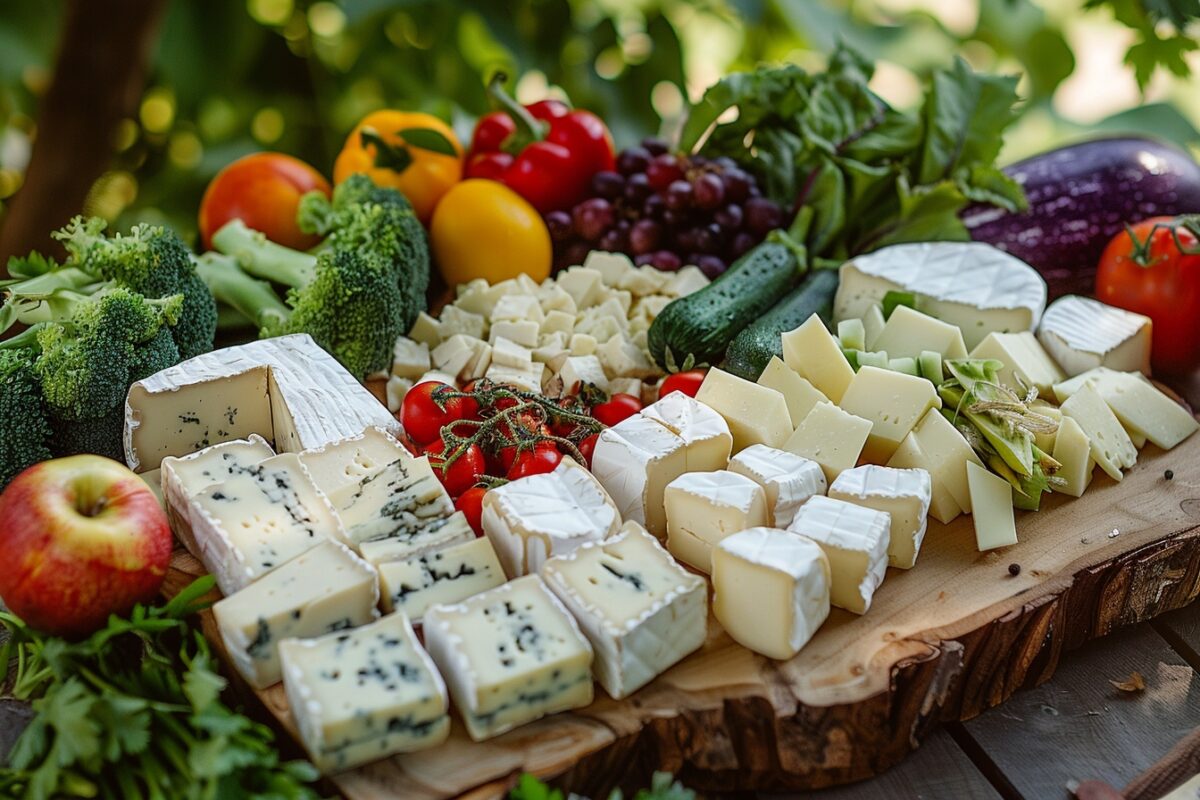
1144, 270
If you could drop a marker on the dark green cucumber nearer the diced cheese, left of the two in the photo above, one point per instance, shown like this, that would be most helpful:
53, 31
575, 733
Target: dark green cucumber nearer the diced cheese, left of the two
697, 330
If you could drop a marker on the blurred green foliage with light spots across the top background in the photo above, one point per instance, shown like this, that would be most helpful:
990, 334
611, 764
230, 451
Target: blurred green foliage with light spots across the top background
236, 76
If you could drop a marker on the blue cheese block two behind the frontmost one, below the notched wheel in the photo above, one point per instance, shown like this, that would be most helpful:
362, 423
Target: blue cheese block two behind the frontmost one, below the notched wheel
256, 521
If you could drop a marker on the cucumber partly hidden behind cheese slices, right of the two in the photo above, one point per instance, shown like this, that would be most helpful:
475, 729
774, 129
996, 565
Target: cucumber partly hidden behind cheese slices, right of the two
754, 347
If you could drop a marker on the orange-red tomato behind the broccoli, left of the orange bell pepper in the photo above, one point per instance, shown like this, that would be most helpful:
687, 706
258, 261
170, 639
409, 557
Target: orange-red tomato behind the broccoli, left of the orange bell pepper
263, 190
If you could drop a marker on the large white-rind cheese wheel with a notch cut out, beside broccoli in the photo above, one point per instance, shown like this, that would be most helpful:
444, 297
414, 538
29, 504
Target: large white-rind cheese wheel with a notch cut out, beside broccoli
287, 390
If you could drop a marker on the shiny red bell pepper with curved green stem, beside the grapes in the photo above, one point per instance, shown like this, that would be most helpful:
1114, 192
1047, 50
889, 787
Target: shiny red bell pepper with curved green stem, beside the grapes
544, 152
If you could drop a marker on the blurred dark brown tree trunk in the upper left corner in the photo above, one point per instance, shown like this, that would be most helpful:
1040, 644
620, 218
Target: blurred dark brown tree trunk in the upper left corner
99, 75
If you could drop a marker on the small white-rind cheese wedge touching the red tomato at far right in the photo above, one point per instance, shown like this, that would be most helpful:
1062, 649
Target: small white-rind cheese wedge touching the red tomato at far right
1083, 334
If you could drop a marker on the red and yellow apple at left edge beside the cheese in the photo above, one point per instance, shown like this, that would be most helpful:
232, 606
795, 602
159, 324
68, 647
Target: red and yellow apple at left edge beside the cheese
82, 538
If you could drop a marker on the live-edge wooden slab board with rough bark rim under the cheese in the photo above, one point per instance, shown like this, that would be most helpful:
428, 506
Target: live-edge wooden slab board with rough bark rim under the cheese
944, 641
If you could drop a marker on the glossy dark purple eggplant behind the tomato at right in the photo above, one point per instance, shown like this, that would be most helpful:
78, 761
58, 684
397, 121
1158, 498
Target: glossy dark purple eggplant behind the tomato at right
1081, 196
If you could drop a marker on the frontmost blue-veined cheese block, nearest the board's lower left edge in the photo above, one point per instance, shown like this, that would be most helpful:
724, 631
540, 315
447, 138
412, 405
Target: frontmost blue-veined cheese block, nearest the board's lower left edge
364, 695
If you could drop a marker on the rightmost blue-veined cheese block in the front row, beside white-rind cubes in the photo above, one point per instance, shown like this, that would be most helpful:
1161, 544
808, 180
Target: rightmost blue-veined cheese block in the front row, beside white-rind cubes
641, 611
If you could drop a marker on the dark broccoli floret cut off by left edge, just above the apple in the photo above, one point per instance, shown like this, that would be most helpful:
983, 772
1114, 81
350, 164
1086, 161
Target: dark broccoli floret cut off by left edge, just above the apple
25, 429
